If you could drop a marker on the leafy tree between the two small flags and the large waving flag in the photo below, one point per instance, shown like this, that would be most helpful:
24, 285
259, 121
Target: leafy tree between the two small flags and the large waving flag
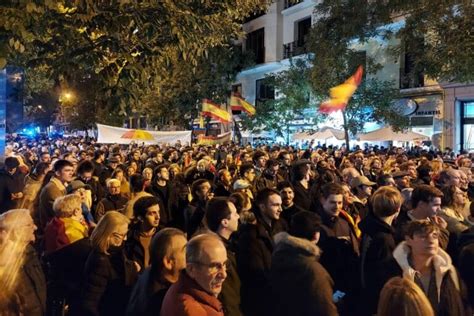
293, 97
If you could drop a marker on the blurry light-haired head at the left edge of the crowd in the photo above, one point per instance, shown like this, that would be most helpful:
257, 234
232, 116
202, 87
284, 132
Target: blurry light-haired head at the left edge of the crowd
17, 226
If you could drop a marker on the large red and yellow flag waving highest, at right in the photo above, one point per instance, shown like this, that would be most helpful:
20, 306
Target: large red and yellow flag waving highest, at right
341, 94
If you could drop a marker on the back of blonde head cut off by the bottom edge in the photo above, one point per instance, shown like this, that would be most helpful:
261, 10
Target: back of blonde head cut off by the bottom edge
402, 297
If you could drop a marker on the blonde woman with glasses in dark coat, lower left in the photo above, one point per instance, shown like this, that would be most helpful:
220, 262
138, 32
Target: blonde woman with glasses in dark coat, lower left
107, 272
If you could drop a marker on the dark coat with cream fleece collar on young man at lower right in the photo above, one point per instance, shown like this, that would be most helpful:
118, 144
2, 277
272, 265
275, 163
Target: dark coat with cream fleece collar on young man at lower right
447, 282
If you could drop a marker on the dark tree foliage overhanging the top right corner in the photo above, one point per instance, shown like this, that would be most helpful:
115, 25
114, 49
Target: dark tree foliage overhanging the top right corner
438, 34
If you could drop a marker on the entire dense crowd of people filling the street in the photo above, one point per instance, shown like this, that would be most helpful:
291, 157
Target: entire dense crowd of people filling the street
100, 229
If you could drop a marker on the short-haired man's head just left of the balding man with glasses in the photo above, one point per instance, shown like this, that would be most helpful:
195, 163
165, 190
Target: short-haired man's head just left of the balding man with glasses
168, 252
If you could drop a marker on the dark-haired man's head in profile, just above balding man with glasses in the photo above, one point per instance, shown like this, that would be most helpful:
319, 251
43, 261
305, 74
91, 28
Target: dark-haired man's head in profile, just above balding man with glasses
221, 214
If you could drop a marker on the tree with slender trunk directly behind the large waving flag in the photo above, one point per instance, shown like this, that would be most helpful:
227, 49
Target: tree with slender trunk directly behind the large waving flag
336, 58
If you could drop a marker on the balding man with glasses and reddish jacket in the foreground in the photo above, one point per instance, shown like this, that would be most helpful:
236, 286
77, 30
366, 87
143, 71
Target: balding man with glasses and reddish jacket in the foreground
201, 282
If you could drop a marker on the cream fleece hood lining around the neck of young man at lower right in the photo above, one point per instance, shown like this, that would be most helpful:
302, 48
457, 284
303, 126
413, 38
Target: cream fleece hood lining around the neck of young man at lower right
442, 264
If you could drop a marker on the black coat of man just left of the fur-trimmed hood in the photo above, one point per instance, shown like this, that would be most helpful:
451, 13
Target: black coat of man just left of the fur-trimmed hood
254, 257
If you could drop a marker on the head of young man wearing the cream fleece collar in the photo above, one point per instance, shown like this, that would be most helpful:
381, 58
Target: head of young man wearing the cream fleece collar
422, 238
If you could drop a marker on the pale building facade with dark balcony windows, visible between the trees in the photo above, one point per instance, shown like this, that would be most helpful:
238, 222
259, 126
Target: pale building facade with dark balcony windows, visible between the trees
445, 112
